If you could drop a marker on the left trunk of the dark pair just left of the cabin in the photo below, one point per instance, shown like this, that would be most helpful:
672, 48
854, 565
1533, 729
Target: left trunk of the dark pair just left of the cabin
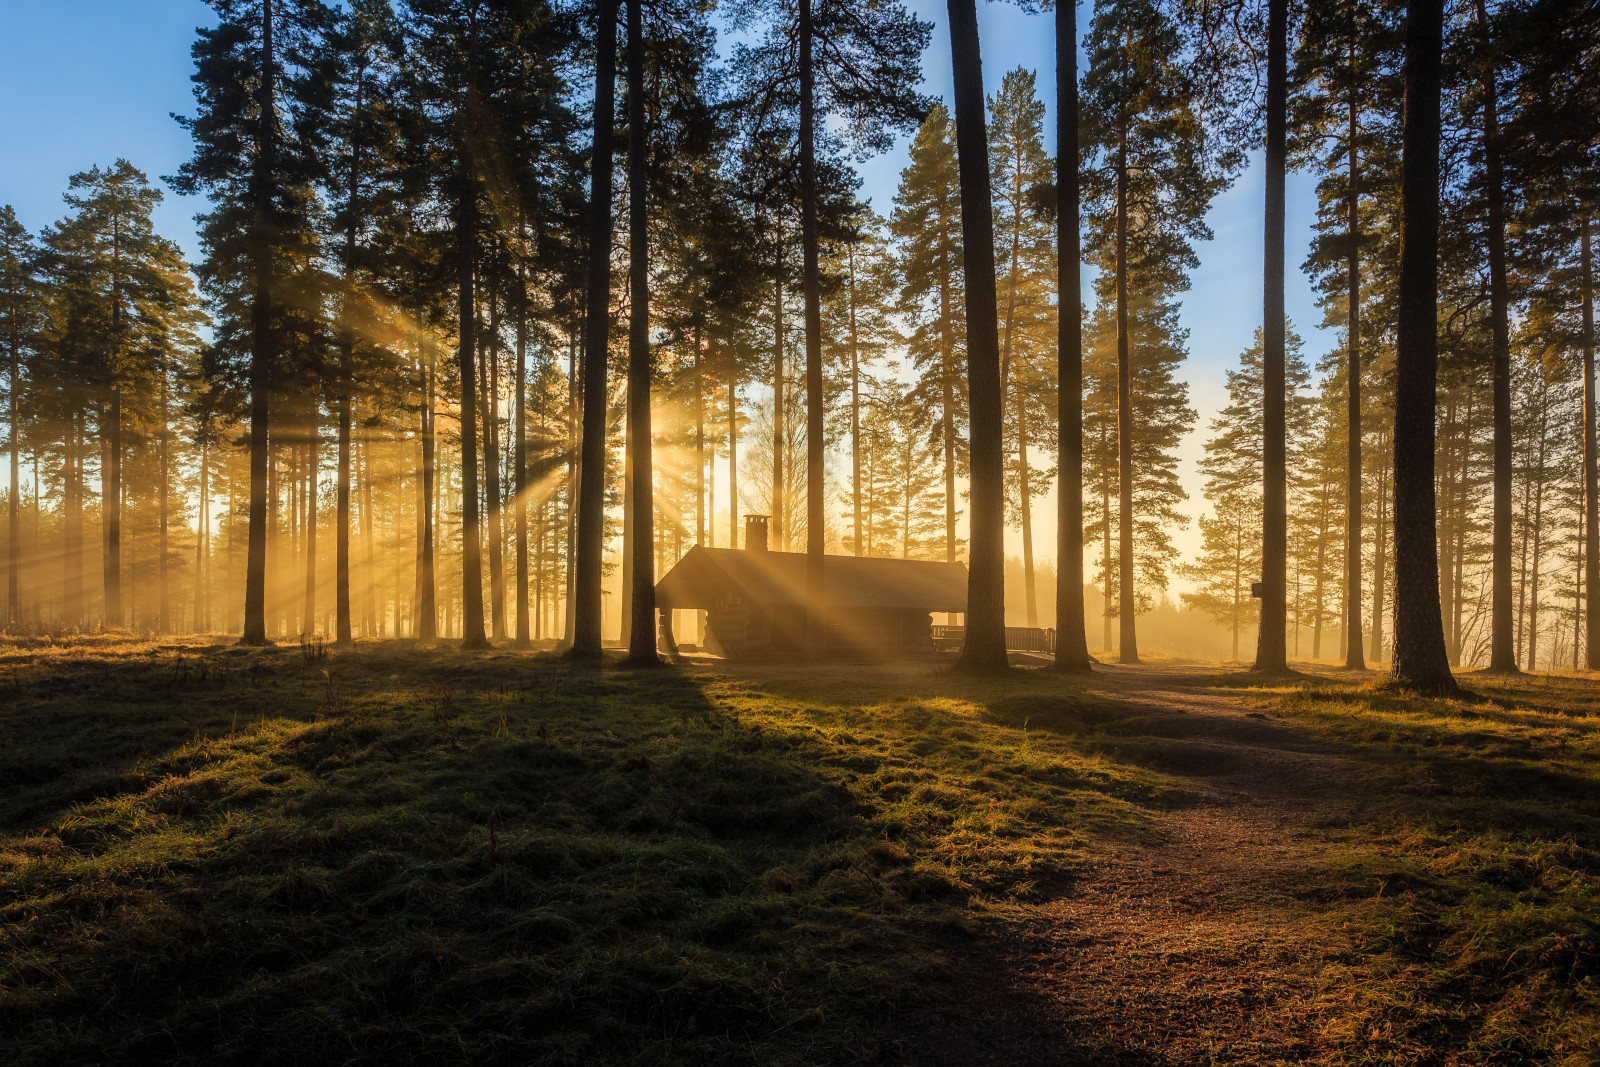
588, 607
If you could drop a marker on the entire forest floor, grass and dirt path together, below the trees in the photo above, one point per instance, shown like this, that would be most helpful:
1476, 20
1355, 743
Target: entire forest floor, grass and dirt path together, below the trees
401, 853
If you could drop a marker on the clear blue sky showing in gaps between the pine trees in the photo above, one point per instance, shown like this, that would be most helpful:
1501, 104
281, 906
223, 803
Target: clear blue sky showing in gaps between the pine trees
90, 81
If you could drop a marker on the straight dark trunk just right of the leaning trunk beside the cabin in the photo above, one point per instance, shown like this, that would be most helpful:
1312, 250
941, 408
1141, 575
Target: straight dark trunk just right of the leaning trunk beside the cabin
1073, 652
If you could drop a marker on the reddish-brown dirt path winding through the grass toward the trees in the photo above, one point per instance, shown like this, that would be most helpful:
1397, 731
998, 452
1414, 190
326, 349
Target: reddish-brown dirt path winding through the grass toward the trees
1194, 949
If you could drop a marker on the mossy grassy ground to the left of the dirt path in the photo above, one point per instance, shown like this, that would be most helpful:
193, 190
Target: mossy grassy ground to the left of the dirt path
215, 855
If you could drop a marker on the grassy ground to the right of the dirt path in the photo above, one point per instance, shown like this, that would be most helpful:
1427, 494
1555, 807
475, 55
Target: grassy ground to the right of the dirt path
1466, 871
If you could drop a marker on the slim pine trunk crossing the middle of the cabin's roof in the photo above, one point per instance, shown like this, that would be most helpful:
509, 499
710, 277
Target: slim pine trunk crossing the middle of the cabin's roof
812, 287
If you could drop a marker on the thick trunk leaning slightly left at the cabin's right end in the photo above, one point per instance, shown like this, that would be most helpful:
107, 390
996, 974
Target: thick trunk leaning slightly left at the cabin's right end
985, 645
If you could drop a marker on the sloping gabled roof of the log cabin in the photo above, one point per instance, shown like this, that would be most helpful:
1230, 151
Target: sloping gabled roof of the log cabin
778, 578
